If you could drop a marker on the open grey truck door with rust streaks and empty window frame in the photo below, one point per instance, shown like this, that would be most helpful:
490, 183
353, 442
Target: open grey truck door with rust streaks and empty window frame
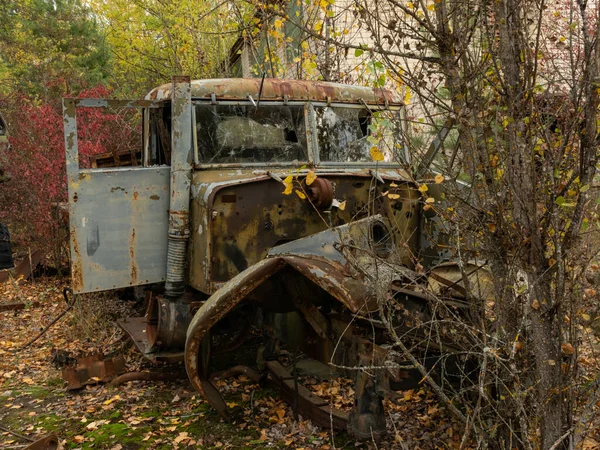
118, 215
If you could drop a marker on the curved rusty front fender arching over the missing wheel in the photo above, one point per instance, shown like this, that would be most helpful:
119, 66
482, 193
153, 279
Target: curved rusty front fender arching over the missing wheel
323, 258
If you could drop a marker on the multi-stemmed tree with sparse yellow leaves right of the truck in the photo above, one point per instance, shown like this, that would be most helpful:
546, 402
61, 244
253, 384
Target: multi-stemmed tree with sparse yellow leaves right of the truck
515, 84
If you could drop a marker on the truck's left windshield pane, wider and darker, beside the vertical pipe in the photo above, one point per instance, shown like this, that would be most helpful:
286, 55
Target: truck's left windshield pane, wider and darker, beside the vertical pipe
229, 134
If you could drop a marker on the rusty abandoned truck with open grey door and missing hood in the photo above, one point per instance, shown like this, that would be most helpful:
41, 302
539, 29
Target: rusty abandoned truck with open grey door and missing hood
248, 275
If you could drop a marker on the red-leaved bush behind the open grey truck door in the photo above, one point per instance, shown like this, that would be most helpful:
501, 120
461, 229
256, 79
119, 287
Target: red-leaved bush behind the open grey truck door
36, 161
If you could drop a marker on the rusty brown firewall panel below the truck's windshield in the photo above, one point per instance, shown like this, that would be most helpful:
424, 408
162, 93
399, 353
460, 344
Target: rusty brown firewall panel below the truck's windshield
238, 215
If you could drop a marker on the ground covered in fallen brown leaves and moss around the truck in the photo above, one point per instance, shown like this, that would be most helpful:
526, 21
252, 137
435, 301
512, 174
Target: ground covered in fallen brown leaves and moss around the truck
34, 401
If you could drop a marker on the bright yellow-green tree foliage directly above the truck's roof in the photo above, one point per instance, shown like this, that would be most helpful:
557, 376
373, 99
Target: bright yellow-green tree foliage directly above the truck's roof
152, 40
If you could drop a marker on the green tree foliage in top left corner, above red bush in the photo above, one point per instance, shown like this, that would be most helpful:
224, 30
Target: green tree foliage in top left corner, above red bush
49, 48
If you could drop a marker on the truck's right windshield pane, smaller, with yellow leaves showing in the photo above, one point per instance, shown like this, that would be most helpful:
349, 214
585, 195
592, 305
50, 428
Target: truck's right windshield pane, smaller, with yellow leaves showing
348, 134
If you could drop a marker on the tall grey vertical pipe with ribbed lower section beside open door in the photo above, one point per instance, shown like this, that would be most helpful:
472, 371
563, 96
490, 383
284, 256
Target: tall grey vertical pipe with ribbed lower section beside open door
181, 180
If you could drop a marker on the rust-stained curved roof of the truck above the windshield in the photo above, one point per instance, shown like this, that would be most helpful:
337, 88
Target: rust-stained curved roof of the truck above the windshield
279, 90
